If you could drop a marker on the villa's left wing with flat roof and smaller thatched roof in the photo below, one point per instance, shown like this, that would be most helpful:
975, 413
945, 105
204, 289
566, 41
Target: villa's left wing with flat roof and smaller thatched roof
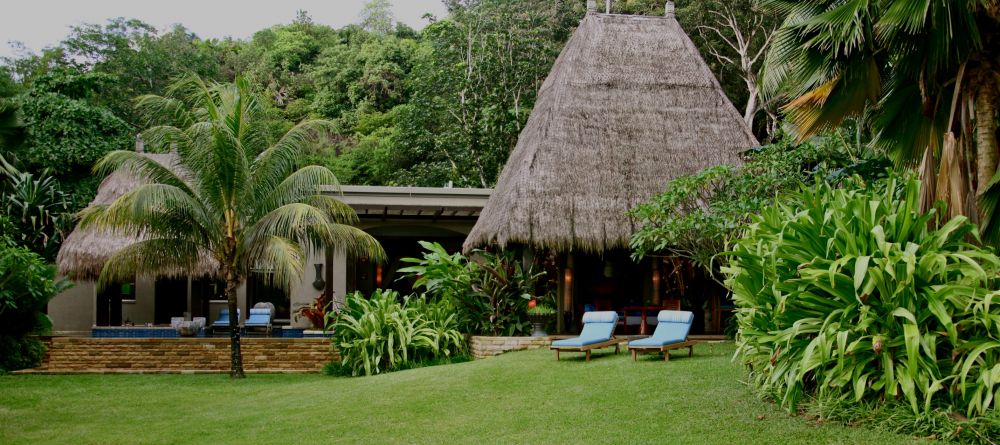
397, 216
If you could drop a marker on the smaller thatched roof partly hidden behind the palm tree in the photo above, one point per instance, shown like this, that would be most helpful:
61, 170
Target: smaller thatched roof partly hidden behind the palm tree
84, 252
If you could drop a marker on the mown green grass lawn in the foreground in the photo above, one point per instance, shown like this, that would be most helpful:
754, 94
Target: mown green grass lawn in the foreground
523, 397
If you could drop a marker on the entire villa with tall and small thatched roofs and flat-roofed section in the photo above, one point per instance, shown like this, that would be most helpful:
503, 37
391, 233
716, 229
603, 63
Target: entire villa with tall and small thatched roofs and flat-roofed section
628, 105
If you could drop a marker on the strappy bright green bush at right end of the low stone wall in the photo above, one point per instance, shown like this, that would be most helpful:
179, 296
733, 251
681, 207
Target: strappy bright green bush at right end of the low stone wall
385, 333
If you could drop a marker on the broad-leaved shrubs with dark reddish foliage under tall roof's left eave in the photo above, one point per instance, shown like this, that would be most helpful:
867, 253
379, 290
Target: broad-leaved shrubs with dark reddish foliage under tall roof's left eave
490, 290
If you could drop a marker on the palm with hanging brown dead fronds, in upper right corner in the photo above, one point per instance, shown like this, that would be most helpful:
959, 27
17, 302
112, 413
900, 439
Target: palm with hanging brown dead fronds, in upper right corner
924, 74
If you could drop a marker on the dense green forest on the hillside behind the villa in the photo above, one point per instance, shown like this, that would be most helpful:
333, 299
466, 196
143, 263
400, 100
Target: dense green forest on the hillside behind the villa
439, 107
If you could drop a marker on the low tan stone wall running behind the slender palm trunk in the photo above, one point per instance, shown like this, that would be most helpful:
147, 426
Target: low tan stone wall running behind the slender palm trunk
184, 355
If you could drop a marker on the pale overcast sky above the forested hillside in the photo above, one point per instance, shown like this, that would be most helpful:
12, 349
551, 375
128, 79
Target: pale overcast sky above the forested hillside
42, 23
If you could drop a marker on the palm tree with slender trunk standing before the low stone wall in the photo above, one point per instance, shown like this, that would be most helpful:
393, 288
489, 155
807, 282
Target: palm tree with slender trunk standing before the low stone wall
235, 200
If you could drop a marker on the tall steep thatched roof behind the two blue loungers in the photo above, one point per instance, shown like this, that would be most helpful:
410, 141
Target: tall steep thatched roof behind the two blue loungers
628, 106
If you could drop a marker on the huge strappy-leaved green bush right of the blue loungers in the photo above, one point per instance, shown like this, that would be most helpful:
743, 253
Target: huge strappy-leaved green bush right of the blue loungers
854, 294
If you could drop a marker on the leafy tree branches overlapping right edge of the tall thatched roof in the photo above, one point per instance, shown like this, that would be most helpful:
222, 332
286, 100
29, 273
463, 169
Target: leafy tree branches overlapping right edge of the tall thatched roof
699, 215
